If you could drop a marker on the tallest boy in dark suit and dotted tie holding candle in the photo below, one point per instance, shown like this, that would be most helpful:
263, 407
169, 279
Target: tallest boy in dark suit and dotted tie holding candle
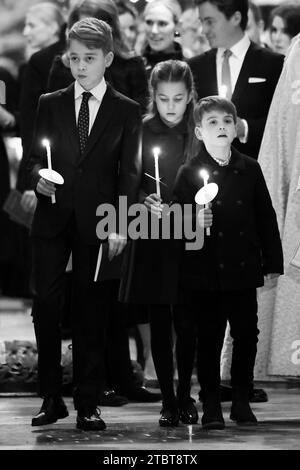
94, 133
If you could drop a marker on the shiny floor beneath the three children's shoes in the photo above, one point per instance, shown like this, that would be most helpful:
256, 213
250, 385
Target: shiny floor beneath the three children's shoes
135, 427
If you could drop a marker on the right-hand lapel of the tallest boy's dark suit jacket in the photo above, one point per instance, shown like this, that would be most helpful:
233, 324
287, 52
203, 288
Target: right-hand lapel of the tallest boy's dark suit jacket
103, 116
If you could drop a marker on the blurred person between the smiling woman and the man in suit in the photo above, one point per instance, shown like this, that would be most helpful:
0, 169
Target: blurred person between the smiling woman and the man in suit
192, 40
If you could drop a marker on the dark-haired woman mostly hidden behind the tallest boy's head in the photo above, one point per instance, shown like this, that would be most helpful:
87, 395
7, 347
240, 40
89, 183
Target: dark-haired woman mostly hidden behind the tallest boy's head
126, 74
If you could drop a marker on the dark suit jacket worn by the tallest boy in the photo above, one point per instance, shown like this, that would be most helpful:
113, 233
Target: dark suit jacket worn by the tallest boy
110, 166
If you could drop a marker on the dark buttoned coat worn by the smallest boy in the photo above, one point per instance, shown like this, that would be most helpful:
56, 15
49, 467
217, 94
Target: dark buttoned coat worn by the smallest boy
244, 243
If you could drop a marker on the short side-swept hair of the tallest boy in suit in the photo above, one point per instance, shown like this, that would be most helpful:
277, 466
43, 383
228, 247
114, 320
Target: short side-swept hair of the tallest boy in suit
93, 33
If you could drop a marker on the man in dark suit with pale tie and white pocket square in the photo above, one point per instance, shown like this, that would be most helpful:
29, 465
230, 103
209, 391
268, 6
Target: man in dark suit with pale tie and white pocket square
236, 68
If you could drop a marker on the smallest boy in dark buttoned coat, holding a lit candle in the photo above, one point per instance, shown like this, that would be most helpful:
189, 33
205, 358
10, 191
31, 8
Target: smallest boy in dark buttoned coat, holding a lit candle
220, 280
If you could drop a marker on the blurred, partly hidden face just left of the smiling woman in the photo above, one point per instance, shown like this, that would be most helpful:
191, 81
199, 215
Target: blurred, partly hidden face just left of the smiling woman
128, 17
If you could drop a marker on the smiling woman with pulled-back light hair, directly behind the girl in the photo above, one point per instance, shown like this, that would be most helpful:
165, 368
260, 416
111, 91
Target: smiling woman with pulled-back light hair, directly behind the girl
161, 18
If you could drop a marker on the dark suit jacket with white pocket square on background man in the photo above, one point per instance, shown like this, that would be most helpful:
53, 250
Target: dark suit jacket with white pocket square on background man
252, 100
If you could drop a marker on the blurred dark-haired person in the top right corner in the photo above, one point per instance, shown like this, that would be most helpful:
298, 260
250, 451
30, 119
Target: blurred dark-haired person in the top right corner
284, 25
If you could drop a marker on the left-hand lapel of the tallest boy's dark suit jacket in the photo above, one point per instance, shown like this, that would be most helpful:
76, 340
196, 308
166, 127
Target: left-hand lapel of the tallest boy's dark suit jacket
67, 114
